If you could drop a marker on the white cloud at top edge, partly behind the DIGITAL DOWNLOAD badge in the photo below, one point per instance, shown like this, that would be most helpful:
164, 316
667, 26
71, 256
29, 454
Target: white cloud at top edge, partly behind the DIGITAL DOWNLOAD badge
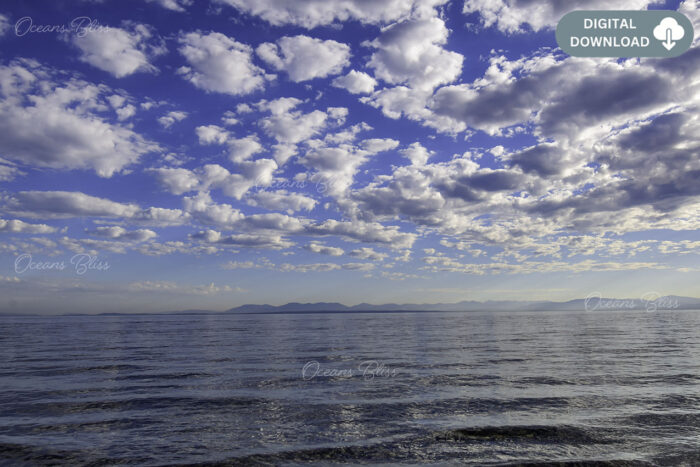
511, 16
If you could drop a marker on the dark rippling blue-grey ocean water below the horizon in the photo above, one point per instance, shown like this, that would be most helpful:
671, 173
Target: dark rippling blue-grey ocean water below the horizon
500, 388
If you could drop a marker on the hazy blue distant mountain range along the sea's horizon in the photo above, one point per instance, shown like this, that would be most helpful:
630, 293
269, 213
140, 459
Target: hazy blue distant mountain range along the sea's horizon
649, 302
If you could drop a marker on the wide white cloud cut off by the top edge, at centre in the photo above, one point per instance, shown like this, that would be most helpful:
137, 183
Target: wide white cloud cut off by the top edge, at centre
312, 13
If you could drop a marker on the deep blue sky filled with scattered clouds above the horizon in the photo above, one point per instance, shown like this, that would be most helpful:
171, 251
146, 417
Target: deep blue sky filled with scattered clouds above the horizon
183, 154
